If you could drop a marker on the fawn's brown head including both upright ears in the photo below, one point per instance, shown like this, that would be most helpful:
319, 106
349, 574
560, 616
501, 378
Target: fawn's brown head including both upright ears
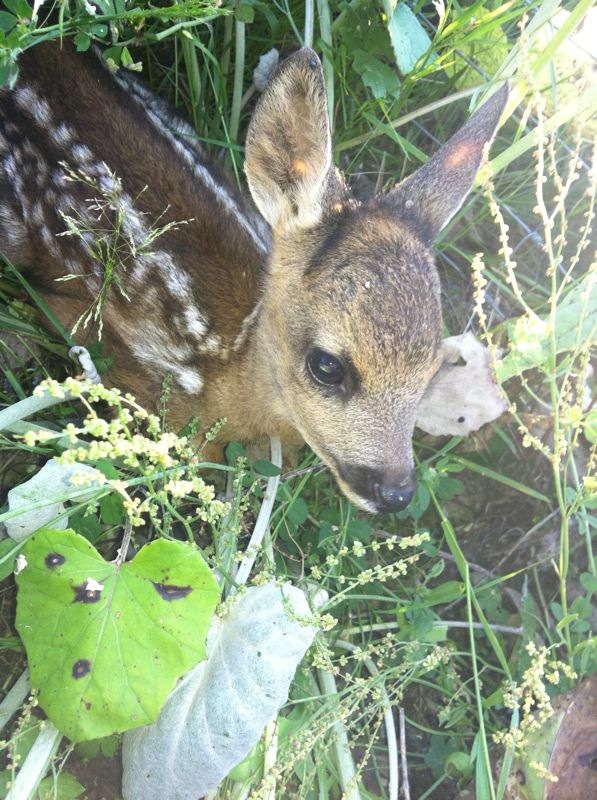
350, 326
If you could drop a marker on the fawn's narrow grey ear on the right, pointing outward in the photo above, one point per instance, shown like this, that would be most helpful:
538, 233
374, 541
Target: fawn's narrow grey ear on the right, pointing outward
429, 198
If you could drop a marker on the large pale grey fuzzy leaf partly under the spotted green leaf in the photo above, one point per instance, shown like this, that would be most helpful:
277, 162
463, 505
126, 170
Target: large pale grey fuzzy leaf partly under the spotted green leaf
219, 709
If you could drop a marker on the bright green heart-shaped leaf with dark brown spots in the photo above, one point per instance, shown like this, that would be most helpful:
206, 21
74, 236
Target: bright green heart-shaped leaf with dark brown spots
107, 642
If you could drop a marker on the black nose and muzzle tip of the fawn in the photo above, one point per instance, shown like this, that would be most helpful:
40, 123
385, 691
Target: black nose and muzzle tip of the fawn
383, 490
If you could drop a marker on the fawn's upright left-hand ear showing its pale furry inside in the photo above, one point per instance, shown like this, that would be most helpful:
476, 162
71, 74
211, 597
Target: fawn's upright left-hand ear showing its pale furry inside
288, 157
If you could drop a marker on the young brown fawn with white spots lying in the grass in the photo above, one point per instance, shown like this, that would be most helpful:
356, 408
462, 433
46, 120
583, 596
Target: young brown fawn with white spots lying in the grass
318, 321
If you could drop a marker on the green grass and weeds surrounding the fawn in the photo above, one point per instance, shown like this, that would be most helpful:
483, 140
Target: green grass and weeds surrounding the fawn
435, 607
